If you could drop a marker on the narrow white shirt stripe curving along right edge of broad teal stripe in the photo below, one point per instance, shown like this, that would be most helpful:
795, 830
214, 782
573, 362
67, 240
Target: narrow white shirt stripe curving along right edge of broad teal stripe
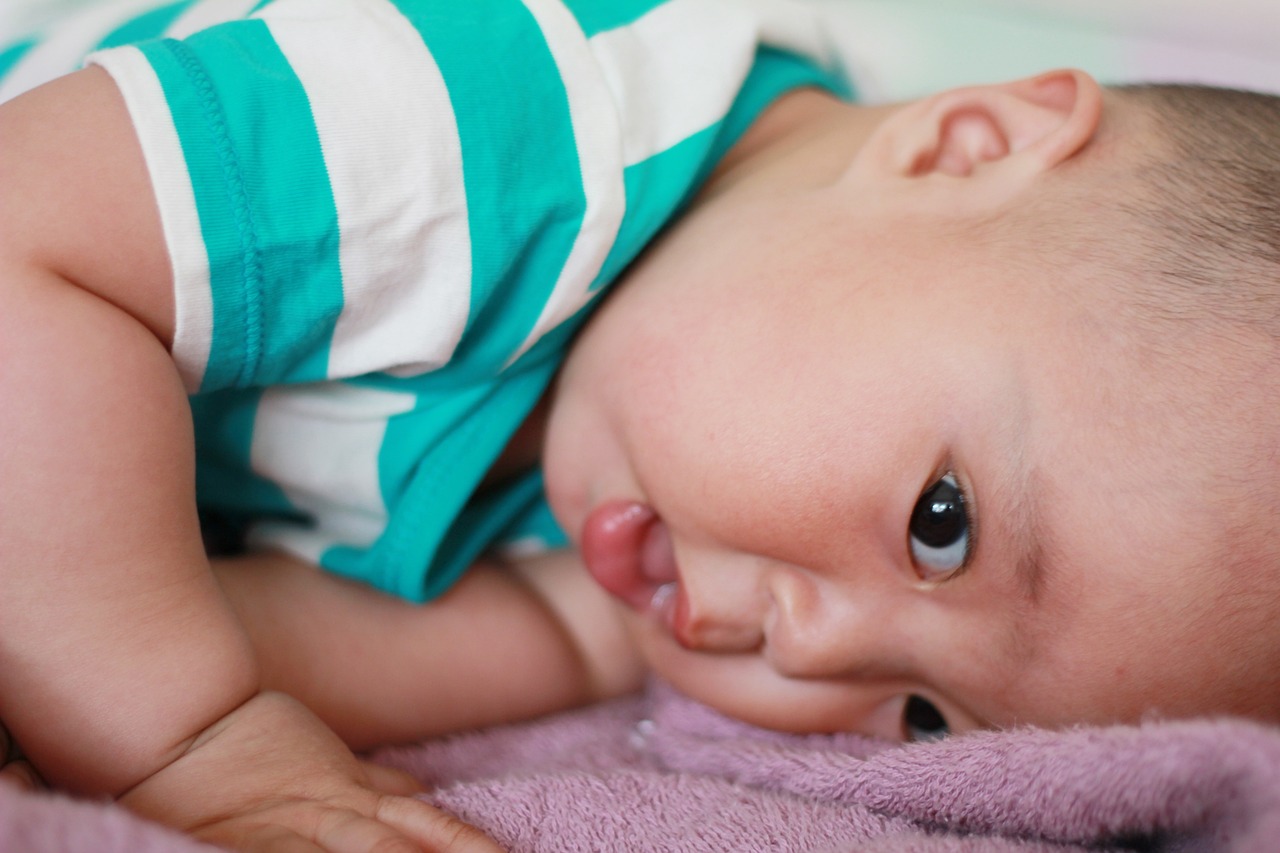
600, 152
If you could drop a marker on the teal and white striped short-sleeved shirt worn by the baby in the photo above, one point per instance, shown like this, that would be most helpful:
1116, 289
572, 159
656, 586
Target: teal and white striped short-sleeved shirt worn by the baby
387, 218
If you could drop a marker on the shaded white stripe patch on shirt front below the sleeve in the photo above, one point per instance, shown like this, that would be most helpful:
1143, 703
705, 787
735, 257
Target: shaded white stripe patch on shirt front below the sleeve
321, 445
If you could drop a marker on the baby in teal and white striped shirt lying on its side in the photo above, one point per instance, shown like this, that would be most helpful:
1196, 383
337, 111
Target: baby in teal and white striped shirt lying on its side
918, 419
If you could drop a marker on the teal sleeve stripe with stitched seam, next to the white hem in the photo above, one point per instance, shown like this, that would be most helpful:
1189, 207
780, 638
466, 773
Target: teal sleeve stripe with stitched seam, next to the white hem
267, 209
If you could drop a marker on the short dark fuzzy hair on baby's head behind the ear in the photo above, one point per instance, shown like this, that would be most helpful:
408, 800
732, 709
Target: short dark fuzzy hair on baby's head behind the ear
1208, 198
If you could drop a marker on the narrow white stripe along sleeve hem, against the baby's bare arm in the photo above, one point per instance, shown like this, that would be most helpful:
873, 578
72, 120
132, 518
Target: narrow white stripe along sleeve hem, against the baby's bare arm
162, 149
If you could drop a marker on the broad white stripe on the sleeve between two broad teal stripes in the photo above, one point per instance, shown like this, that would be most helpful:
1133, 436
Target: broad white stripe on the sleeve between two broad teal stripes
395, 163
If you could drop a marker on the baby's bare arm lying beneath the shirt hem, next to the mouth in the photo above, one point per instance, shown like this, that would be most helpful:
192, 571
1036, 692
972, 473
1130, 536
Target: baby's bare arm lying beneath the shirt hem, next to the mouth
509, 642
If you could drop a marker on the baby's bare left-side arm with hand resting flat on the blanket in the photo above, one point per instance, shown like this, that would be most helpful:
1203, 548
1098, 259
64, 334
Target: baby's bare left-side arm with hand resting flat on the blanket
124, 669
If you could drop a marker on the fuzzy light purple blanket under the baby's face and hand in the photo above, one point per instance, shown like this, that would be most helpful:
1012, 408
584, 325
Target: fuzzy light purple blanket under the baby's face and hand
661, 773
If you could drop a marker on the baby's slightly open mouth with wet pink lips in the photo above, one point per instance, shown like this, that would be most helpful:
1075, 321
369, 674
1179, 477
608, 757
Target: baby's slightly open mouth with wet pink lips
628, 550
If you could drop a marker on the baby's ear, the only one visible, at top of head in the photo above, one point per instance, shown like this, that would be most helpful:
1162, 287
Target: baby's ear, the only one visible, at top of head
1022, 129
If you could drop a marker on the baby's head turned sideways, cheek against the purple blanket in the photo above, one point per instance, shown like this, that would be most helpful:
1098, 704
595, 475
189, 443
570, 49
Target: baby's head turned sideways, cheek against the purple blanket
975, 400
